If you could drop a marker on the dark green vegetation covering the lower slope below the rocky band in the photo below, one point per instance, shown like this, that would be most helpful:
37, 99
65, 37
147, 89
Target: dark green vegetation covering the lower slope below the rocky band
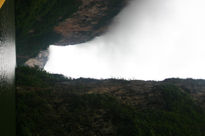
46, 108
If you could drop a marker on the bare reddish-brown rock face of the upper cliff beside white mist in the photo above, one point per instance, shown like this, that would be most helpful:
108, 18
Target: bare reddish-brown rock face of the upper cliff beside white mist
91, 19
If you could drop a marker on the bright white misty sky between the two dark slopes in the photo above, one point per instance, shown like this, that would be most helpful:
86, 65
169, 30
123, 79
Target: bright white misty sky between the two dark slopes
149, 39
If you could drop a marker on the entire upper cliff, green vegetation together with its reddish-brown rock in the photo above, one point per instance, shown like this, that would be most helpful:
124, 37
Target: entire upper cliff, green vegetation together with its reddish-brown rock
45, 23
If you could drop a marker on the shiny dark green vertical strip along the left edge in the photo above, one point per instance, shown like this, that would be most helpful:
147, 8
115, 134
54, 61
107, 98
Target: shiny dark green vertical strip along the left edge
7, 69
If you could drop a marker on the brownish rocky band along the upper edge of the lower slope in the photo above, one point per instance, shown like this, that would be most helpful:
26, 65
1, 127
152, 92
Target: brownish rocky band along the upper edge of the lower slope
136, 92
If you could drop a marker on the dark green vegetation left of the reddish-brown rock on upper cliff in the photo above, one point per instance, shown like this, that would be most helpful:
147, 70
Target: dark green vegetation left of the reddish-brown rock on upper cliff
35, 20
